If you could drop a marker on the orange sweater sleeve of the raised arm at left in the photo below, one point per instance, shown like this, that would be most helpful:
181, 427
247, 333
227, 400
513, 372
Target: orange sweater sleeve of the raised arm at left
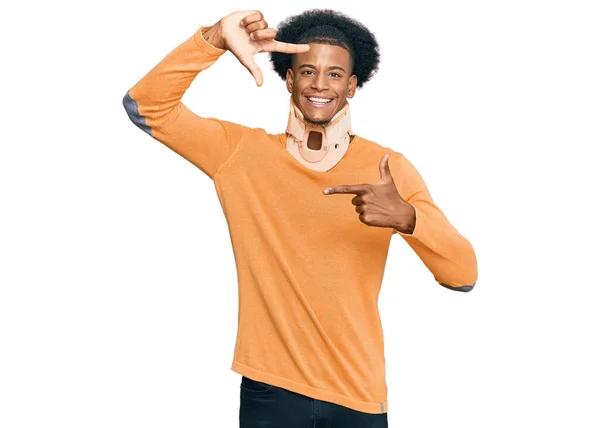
154, 105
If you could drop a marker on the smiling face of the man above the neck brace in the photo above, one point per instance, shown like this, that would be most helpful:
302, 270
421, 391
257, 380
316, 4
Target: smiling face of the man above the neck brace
322, 72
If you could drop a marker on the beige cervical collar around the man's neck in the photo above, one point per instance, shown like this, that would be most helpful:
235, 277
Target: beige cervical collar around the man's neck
335, 138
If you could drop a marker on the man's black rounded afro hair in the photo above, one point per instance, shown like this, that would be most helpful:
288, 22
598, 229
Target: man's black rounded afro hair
329, 27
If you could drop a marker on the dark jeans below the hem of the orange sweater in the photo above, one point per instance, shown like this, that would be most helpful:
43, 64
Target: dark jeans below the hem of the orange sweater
266, 406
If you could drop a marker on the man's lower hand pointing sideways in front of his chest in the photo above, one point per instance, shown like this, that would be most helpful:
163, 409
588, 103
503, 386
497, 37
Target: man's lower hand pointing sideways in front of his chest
380, 204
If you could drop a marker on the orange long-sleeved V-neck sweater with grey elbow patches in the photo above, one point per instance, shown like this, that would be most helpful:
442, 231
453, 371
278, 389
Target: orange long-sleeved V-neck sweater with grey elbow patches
309, 271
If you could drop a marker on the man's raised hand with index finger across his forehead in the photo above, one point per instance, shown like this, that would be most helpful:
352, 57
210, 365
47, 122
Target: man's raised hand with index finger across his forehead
245, 34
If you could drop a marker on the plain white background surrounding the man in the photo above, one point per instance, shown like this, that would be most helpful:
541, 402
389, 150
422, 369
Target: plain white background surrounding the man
118, 290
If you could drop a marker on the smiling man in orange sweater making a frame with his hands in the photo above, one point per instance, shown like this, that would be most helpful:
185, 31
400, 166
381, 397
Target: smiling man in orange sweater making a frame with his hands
310, 259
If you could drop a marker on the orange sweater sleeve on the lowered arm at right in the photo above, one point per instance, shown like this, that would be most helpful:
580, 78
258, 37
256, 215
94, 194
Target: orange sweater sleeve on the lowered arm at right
448, 255
